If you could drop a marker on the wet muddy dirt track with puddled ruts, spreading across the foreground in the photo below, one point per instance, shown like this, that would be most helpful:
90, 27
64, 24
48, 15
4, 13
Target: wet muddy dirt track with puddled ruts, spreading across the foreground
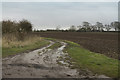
42, 63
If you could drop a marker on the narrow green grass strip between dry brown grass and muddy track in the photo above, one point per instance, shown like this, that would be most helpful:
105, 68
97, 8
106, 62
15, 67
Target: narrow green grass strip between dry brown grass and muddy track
19, 49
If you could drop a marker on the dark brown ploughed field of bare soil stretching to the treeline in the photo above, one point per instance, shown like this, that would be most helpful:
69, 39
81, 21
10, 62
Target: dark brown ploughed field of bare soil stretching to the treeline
100, 42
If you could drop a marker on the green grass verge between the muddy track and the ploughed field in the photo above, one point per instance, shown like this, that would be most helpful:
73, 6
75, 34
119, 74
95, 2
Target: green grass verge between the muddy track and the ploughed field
97, 63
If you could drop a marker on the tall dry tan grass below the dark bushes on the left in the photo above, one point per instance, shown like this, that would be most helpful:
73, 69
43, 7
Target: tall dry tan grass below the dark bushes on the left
10, 40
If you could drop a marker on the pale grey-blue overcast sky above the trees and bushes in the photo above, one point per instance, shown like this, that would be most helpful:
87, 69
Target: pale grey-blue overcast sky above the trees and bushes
47, 15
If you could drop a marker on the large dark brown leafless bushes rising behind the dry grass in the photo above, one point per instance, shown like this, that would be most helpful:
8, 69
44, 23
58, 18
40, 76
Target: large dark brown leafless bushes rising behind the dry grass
18, 30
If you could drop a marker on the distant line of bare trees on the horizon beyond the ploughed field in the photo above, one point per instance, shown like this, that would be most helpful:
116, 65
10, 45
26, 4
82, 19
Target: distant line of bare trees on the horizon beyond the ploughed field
87, 27
